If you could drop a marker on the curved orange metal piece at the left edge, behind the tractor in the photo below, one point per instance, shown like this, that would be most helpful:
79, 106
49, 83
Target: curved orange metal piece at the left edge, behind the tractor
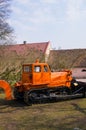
7, 89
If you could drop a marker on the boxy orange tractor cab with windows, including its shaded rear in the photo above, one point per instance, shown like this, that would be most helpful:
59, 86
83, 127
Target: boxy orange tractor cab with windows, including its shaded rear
36, 73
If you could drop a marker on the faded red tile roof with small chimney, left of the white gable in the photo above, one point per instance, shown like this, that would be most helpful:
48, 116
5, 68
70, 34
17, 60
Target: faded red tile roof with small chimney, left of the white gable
21, 49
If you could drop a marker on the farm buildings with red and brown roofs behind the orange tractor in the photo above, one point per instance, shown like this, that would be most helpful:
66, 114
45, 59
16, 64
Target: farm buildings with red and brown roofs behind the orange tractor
14, 55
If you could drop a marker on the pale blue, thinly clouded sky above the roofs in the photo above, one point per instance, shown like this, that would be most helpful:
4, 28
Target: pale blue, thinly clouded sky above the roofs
62, 22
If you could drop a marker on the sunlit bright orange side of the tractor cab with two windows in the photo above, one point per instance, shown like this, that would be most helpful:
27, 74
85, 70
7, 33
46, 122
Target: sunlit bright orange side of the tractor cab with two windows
41, 74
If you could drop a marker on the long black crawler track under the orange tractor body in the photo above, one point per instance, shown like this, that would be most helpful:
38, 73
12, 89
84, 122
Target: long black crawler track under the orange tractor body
33, 99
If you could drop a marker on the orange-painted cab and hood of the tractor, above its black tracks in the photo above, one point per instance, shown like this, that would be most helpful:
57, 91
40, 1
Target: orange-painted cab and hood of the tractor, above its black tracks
38, 75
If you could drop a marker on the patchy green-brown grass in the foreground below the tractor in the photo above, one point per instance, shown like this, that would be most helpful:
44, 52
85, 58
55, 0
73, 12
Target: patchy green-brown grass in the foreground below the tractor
66, 115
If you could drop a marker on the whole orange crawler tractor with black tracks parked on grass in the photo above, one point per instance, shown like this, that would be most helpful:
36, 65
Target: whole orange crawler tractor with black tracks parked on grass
38, 84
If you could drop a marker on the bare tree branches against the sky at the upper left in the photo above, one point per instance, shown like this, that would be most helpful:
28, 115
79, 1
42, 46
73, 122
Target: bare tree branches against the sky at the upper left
5, 29
